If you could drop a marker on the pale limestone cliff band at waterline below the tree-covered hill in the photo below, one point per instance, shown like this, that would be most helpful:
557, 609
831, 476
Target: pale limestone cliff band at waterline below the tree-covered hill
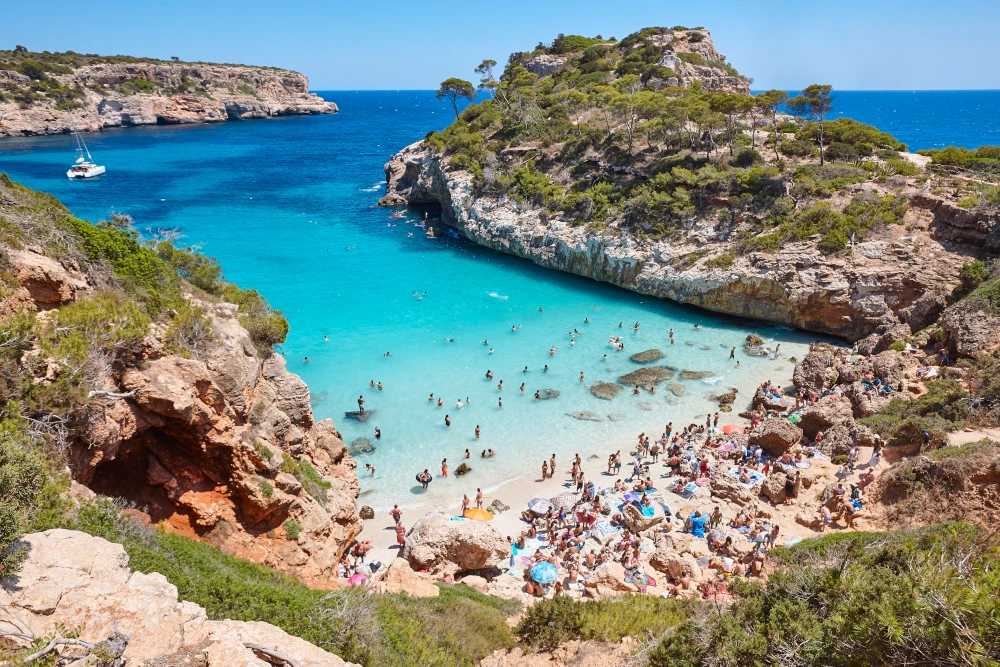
849, 296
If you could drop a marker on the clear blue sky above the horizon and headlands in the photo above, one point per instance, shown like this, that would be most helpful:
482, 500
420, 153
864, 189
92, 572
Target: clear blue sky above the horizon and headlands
390, 44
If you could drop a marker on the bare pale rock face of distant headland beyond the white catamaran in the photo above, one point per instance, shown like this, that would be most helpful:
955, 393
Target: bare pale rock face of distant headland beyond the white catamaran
179, 93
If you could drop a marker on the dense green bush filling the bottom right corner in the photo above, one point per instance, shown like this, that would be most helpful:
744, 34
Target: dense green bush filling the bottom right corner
922, 597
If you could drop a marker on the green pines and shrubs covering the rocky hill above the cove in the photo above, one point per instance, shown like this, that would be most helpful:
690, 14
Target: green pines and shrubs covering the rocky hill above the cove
605, 134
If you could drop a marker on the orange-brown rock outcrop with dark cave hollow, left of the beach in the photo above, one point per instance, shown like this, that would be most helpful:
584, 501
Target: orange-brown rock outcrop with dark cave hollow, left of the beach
205, 445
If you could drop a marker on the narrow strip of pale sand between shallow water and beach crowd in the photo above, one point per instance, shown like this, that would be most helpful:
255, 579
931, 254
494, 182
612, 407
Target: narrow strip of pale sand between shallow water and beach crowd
516, 493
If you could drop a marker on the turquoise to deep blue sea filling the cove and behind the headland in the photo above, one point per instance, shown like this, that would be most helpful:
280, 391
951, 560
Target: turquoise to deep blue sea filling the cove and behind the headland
287, 206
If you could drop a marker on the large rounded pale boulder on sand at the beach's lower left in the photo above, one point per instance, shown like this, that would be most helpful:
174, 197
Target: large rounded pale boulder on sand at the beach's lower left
442, 545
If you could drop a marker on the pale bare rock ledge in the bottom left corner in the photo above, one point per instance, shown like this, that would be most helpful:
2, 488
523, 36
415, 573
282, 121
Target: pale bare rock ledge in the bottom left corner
73, 581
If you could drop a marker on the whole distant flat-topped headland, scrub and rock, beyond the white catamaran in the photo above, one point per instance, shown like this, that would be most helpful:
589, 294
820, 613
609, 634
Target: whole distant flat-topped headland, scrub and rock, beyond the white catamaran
53, 93
